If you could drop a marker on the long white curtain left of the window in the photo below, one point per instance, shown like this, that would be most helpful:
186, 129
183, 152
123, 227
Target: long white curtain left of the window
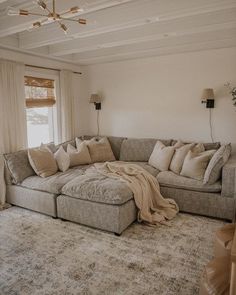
13, 128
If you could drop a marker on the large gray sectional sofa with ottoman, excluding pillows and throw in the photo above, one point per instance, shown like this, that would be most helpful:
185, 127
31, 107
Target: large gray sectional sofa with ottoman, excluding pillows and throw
84, 196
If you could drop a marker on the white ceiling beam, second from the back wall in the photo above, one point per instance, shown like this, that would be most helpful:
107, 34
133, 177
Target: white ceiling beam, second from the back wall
187, 25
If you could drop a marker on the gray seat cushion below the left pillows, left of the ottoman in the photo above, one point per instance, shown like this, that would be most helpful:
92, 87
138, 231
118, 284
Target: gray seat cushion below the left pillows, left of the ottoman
54, 183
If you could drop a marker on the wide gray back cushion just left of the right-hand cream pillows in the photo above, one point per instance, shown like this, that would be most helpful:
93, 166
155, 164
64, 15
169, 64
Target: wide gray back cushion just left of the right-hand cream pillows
138, 149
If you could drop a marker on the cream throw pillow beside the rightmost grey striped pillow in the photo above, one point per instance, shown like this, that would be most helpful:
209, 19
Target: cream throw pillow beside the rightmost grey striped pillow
195, 164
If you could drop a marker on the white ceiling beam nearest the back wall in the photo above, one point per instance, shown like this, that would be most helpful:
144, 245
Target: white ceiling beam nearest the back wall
208, 45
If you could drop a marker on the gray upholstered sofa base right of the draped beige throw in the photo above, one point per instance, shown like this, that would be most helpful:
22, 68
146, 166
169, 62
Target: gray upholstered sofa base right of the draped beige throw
207, 204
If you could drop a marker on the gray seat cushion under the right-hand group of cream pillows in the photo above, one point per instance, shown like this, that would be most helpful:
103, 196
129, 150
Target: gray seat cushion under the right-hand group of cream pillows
170, 179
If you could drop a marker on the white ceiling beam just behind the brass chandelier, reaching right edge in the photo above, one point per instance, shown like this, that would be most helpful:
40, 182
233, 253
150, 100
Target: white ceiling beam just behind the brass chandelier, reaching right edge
132, 14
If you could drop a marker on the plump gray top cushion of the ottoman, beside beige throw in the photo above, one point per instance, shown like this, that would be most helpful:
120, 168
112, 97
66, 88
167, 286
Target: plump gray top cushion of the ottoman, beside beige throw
95, 187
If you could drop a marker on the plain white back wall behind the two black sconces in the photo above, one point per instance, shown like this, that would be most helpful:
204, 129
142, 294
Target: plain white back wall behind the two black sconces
160, 96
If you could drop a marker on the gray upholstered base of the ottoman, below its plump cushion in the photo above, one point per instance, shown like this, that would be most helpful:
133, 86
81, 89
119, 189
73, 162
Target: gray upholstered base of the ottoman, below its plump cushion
112, 218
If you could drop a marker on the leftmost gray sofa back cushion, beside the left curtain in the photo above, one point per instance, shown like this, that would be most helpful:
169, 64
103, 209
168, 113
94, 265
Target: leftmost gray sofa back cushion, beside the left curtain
19, 166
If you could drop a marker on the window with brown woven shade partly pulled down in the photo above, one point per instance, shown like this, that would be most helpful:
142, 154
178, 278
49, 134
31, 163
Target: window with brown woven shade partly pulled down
40, 103
